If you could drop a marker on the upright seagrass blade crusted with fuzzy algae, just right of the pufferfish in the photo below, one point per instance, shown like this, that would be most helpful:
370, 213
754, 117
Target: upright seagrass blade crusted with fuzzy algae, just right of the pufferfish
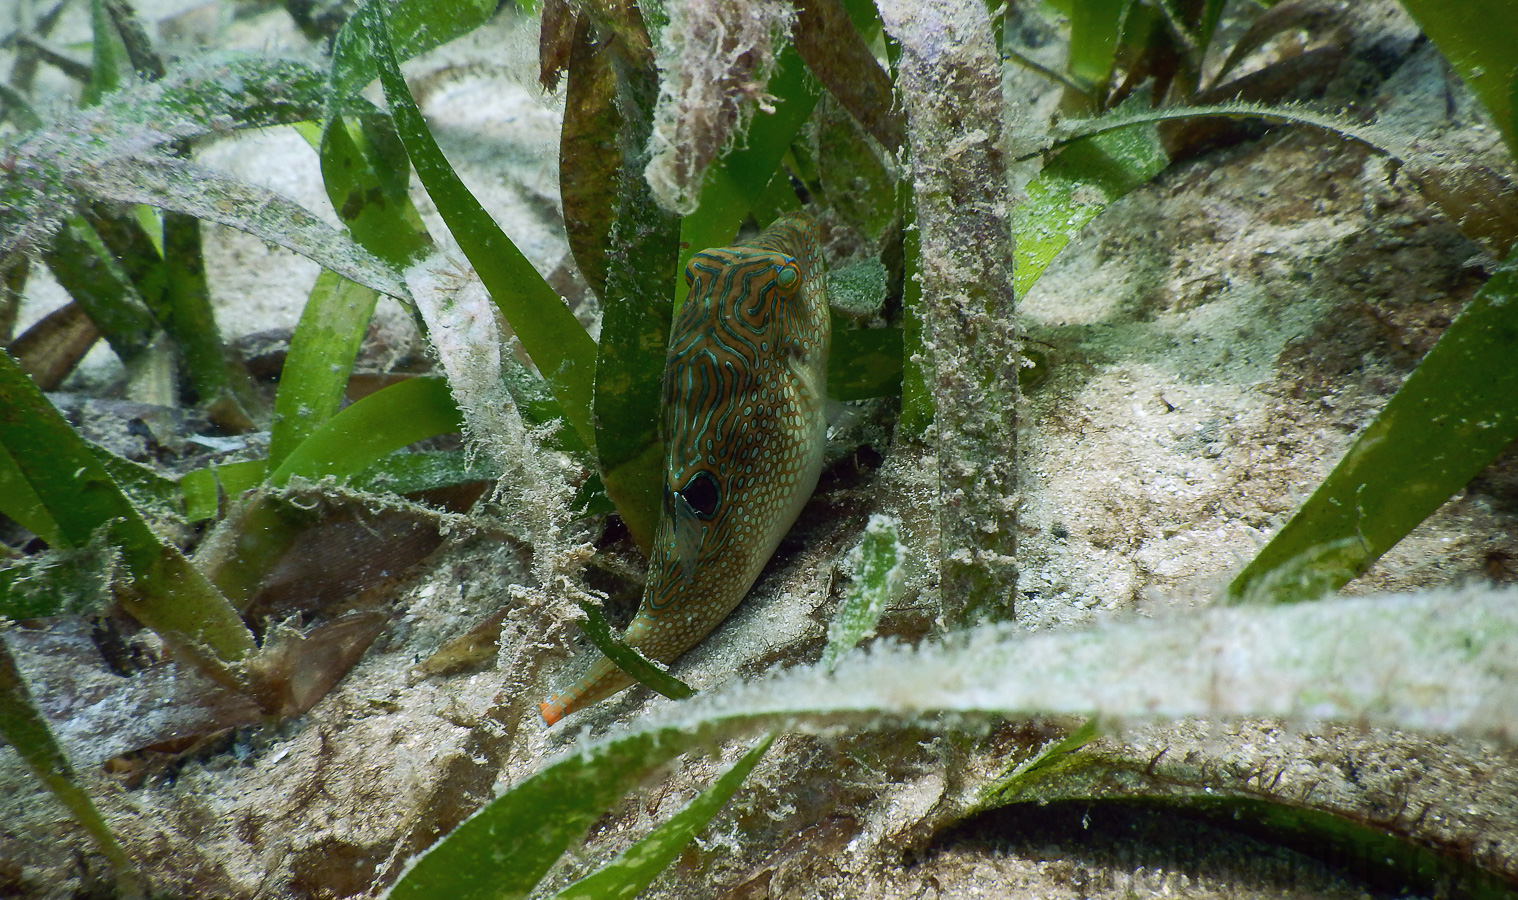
951, 81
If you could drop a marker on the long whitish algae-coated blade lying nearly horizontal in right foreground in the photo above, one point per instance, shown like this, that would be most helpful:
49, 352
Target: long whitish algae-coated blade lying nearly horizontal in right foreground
1437, 662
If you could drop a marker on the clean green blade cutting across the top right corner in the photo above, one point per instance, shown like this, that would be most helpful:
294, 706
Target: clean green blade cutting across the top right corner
1481, 42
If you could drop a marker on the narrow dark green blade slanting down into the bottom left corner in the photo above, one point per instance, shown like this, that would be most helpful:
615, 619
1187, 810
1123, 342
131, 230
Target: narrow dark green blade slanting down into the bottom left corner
25, 729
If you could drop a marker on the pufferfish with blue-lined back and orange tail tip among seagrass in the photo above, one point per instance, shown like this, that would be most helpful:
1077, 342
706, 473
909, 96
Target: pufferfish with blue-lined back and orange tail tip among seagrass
743, 427
